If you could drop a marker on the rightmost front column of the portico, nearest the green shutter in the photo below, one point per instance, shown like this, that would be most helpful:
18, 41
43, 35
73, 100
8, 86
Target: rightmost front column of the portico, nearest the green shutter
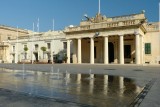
137, 53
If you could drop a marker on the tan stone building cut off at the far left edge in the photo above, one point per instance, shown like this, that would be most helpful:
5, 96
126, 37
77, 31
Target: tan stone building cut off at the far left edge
7, 33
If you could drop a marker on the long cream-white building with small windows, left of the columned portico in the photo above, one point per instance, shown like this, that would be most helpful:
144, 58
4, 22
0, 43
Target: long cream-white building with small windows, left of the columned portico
52, 41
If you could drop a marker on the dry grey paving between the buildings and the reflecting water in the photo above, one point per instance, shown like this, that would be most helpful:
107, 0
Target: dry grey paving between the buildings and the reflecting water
143, 73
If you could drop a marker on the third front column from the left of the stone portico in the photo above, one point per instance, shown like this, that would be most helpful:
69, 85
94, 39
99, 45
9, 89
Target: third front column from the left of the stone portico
92, 50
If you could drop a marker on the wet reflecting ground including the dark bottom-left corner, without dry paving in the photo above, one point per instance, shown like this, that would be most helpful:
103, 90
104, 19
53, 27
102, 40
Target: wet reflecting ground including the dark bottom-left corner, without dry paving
30, 88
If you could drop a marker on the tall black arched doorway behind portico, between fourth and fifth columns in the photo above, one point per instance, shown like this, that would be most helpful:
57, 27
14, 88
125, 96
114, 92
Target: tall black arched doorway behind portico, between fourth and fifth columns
111, 52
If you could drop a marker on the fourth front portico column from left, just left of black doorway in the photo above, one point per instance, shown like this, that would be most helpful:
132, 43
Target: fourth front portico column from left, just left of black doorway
106, 50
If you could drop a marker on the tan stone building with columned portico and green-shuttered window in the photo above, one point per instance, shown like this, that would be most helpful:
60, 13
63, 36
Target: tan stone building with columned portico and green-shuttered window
119, 40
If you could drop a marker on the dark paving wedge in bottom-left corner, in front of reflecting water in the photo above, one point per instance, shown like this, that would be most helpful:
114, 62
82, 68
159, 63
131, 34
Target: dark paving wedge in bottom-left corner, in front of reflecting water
15, 99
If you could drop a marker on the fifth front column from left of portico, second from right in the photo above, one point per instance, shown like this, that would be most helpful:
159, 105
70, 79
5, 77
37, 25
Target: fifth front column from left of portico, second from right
121, 50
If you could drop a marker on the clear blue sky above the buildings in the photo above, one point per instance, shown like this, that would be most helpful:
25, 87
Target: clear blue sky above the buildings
23, 13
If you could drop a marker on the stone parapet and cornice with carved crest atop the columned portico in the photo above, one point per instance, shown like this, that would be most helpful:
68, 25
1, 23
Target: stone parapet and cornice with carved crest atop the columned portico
100, 22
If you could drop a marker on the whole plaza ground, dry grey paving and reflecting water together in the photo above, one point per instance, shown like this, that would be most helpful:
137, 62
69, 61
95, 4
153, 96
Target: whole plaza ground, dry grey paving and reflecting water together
78, 85
